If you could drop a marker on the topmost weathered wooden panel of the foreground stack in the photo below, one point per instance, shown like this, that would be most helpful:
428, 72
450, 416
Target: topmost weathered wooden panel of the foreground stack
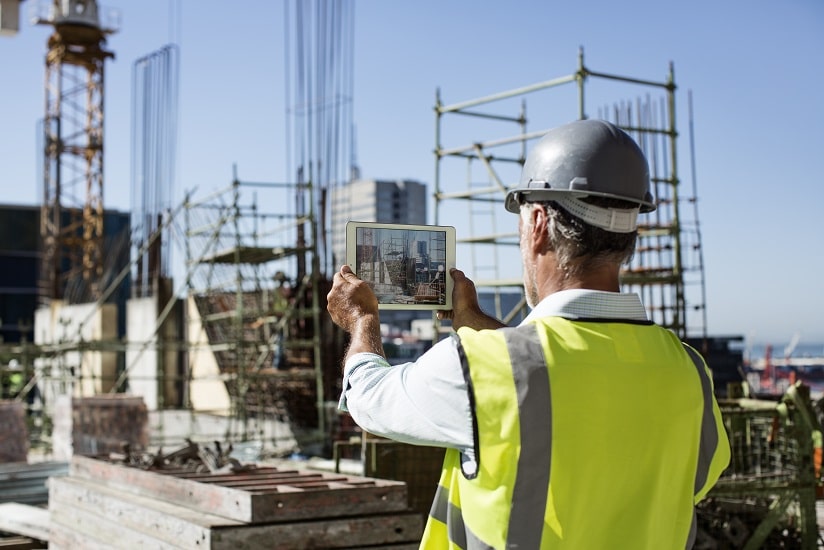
278, 502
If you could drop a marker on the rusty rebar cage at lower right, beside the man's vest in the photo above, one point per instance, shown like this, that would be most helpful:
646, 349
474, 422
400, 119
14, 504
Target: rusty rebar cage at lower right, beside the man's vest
766, 498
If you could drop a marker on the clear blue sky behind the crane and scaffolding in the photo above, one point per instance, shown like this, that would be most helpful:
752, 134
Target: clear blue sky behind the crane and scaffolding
754, 69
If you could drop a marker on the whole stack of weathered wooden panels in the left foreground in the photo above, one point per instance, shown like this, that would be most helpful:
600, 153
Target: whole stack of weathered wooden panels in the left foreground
107, 505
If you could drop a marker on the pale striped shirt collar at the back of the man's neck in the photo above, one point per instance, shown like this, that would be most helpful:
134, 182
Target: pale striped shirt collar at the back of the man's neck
589, 304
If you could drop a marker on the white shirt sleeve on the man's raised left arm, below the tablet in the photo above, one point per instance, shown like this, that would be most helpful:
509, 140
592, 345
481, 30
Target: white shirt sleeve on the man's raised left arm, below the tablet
423, 403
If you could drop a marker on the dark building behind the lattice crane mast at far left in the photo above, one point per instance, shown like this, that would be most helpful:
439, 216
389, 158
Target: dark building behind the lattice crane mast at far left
20, 266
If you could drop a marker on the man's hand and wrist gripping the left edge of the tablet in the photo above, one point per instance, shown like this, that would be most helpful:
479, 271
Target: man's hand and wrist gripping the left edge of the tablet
354, 308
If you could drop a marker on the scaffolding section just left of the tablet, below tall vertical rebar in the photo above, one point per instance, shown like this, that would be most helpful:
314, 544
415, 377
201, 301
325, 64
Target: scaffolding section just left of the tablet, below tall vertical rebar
260, 307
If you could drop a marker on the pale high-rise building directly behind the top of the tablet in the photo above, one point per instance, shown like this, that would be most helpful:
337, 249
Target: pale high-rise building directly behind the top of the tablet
369, 200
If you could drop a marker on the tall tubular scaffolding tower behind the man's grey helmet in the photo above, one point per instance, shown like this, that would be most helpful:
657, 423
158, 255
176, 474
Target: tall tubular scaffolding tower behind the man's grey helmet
668, 256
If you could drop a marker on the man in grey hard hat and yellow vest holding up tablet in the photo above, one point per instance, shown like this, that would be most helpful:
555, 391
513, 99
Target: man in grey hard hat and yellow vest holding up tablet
585, 427
